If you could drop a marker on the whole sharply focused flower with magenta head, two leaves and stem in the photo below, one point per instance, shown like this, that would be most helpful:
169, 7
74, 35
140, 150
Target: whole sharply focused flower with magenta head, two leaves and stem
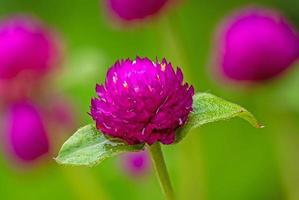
140, 105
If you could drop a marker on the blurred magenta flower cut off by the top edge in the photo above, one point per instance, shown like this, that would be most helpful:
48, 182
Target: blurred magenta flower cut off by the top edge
135, 9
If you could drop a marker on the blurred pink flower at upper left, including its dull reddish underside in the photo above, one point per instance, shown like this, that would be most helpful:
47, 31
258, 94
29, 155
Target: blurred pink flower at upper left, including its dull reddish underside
28, 51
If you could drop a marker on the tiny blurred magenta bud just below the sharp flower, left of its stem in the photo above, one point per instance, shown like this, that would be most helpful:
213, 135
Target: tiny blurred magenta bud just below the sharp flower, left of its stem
136, 164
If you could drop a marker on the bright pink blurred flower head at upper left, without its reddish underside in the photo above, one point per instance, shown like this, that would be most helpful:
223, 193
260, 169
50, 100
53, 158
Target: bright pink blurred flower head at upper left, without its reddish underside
25, 47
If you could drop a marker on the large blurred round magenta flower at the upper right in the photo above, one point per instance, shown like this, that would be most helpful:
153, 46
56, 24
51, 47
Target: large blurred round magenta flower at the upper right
256, 45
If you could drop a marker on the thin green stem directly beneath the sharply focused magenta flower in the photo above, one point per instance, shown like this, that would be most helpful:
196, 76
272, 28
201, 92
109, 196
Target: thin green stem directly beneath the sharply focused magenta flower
161, 170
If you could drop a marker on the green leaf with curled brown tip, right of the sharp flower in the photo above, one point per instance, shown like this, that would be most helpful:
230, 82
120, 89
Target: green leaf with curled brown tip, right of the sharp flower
208, 108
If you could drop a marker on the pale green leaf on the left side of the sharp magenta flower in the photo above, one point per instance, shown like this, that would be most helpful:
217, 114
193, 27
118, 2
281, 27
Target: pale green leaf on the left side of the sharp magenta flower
89, 147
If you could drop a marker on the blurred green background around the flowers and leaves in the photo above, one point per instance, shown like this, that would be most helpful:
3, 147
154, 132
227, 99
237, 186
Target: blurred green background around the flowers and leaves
227, 160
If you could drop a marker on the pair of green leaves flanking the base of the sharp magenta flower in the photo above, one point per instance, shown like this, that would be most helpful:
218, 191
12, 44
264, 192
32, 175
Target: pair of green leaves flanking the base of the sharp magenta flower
89, 147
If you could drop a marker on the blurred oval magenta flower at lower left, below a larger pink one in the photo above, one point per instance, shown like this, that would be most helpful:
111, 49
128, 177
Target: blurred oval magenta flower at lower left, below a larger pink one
25, 132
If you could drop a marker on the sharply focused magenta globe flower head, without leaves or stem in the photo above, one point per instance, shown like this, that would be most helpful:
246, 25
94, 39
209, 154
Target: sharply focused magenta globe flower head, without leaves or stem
142, 101
